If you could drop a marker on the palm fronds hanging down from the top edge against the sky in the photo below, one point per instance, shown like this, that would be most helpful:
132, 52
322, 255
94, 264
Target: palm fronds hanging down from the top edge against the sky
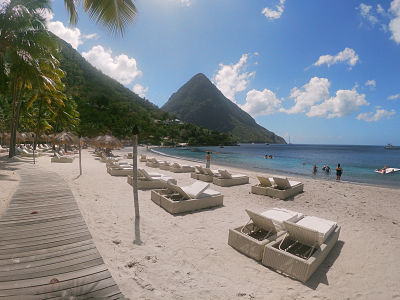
113, 14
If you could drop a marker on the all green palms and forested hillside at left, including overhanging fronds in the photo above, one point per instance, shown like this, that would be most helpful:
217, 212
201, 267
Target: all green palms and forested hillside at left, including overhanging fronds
47, 87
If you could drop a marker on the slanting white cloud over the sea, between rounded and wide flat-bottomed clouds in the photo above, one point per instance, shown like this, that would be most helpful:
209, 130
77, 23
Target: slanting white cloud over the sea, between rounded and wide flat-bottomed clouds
315, 91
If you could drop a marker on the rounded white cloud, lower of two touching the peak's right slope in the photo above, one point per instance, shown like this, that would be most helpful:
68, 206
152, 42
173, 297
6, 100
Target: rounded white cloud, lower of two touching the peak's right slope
261, 103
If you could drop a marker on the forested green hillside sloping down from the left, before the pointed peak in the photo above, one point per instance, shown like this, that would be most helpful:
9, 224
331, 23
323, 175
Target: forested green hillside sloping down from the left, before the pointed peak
106, 106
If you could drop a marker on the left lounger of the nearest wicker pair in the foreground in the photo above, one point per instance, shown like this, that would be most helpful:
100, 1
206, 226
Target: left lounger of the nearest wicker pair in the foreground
261, 229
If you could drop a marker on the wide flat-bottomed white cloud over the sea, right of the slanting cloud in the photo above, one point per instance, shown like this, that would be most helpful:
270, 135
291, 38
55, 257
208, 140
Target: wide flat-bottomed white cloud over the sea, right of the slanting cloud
344, 103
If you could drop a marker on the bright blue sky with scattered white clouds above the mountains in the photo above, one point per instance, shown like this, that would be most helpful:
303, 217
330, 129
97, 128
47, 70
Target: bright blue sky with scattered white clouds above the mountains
317, 71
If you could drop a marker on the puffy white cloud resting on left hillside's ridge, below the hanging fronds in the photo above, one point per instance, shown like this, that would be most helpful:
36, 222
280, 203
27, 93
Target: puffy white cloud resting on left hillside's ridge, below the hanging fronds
121, 67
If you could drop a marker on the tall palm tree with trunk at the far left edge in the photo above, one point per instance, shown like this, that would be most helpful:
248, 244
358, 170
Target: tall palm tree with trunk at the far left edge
26, 54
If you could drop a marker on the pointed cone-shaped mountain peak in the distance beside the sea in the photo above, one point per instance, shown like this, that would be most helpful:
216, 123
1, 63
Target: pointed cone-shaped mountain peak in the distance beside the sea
200, 102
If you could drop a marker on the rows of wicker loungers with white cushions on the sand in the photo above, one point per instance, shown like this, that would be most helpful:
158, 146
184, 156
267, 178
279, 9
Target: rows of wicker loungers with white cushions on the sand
287, 241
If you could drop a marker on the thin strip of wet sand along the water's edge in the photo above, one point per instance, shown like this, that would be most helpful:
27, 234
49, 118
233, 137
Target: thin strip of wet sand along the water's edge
272, 171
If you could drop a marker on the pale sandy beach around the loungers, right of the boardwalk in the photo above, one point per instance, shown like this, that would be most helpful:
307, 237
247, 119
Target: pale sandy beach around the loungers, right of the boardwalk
187, 256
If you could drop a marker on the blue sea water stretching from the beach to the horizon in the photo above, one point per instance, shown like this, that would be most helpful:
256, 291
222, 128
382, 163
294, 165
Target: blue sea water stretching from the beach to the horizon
358, 162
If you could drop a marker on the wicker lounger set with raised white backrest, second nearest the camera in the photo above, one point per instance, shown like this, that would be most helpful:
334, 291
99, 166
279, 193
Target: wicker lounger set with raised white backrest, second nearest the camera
176, 199
